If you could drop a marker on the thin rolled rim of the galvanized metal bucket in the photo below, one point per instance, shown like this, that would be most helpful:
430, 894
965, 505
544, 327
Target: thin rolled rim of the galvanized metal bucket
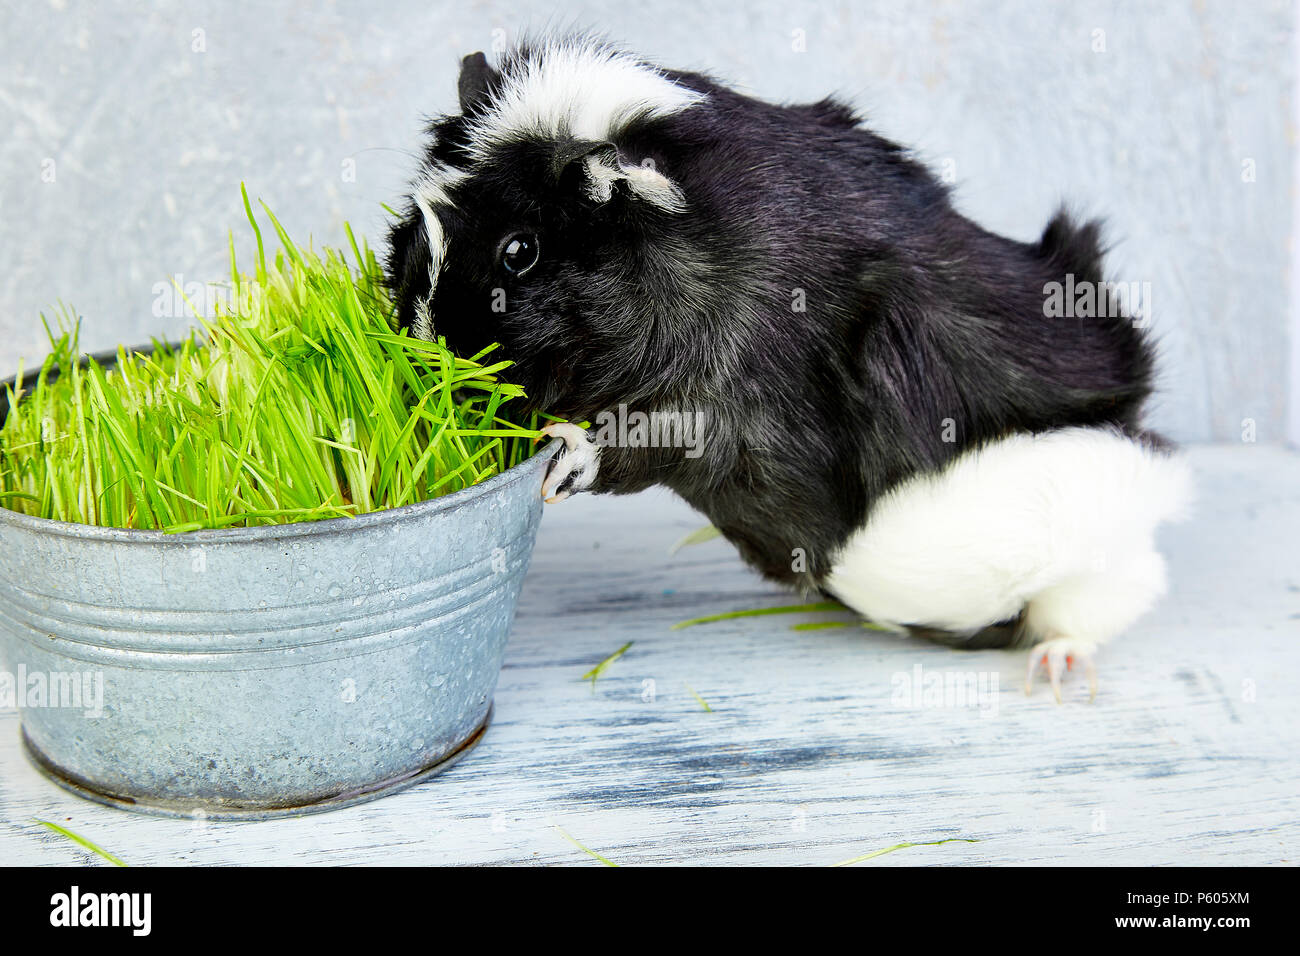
263, 533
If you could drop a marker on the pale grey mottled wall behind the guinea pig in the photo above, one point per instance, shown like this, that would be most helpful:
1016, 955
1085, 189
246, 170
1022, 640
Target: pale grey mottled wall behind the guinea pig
148, 116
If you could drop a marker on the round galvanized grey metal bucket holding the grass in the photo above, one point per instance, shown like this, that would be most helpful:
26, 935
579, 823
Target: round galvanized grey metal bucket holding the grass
250, 673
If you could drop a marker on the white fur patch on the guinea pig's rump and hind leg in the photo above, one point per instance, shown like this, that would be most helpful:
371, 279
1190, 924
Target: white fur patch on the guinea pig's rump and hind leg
1061, 525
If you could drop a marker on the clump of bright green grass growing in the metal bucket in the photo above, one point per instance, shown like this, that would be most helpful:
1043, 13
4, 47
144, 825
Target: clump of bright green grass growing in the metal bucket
298, 401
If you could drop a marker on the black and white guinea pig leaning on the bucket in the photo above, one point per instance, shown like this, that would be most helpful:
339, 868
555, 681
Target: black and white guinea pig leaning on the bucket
890, 412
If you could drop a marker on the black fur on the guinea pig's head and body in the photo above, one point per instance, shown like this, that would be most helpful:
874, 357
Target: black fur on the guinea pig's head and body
924, 334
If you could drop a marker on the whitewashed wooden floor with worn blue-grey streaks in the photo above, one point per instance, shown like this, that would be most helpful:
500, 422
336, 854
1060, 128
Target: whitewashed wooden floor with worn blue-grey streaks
812, 752
